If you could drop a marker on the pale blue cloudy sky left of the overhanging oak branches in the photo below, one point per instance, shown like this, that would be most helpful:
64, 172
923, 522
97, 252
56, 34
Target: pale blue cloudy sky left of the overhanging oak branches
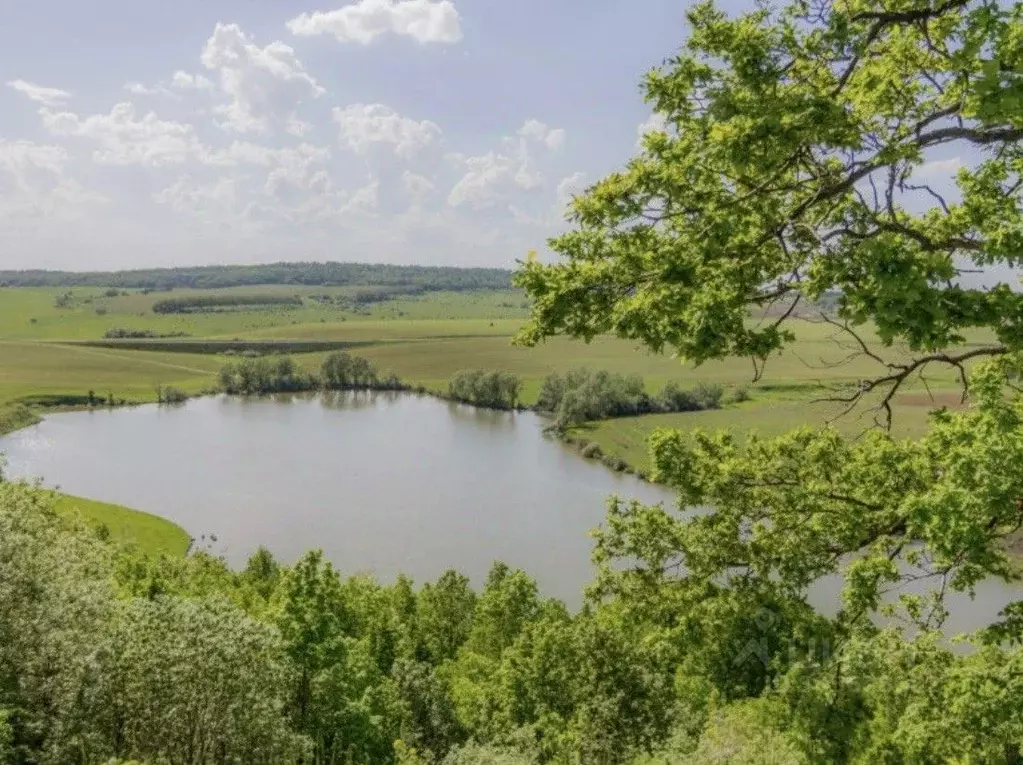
438, 132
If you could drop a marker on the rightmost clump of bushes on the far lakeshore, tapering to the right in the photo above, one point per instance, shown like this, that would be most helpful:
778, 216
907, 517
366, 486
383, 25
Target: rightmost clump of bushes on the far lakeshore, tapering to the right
586, 395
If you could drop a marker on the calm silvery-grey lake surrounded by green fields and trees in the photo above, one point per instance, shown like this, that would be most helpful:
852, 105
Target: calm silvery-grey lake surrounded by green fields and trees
383, 483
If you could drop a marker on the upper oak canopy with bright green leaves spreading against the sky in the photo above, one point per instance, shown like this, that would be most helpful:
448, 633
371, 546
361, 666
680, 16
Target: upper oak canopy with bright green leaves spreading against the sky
791, 166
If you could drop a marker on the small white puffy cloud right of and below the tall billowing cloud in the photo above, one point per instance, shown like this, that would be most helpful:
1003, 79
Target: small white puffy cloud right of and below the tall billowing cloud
363, 126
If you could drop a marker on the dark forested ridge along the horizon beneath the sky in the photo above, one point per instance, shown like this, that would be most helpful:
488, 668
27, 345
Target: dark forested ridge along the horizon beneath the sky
326, 275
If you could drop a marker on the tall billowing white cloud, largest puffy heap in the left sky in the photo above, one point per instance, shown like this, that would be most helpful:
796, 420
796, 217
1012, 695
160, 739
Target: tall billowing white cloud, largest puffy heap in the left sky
264, 85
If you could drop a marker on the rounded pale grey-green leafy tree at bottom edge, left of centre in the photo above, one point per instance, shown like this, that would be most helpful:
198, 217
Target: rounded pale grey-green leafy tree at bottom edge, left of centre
191, 681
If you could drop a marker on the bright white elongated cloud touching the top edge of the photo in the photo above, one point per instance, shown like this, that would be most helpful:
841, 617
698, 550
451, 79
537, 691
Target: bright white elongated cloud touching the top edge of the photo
364, 22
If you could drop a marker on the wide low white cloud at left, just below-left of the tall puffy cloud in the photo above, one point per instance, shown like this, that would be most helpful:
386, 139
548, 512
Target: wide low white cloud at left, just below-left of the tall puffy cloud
126, 139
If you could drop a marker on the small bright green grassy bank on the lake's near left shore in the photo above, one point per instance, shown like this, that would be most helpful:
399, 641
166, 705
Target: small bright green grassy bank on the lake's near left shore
151, 534
